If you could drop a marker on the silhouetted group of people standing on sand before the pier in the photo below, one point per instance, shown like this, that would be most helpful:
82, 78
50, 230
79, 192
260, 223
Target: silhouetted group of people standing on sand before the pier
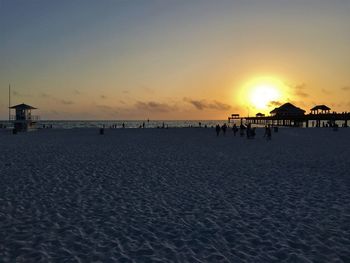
248, 130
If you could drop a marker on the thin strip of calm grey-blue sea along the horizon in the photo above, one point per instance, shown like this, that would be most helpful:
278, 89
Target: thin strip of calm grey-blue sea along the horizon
128, 123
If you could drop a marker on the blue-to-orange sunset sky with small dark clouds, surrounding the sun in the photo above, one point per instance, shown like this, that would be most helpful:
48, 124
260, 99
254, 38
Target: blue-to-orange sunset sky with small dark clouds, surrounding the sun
171, 59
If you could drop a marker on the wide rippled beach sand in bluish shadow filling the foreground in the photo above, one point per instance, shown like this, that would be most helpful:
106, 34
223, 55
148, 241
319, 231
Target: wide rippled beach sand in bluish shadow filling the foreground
177, 195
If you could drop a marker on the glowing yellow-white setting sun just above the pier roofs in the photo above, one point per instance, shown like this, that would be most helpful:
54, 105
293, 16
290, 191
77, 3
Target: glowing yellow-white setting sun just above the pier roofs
263, 93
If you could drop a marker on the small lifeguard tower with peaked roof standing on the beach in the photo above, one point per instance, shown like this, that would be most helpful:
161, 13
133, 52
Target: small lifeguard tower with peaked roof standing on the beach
24, 120
